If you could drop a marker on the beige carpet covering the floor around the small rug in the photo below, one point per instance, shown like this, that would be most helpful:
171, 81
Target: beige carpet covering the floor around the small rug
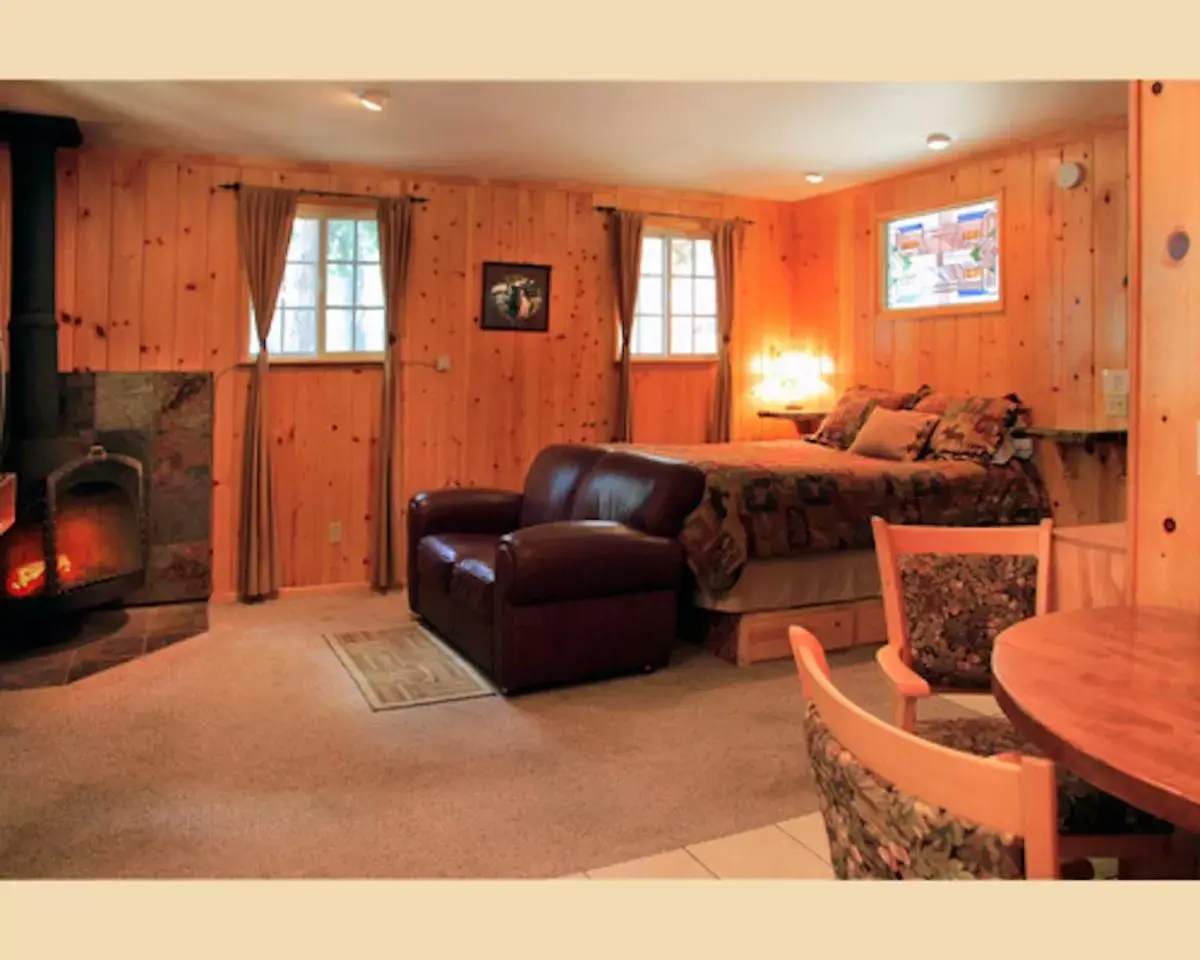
248, 754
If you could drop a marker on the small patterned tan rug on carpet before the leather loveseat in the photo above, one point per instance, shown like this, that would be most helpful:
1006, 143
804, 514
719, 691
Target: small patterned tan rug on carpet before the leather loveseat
406, 667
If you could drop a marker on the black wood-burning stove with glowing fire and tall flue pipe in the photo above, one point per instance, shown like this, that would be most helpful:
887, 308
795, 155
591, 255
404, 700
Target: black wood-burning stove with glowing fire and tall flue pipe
81, 535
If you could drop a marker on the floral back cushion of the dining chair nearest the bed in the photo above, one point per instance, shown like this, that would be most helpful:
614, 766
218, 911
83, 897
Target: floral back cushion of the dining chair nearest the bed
956, 607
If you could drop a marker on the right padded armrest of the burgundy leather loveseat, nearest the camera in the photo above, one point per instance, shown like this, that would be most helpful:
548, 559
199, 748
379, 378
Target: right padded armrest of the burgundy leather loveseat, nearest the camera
577, 560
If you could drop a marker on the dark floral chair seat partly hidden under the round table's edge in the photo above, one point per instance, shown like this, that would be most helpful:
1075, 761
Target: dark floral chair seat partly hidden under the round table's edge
1084, 811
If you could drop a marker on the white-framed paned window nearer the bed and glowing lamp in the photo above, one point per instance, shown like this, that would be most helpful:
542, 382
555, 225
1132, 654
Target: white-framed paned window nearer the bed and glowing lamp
676, 313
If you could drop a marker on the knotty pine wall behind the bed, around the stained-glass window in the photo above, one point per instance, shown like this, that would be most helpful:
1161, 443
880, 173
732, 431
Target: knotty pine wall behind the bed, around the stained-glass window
1065, 316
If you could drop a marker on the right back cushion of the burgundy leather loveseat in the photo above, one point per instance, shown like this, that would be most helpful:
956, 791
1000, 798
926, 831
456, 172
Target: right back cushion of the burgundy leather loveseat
652, 495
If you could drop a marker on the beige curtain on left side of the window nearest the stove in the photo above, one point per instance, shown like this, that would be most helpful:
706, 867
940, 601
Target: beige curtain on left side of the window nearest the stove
265, 231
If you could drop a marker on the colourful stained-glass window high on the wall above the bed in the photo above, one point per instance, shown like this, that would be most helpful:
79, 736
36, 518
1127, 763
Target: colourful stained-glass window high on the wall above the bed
944, 261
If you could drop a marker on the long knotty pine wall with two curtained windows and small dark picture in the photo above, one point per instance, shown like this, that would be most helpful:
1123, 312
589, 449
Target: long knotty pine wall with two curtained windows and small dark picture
149, 279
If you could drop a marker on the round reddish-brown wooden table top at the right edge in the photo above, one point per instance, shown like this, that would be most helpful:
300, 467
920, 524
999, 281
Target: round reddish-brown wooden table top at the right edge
1113, 694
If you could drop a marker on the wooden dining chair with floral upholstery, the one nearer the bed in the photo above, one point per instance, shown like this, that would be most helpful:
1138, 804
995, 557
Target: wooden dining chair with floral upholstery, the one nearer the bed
947, 593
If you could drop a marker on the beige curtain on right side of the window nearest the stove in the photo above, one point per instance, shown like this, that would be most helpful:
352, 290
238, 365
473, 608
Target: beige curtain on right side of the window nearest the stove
395, 218
